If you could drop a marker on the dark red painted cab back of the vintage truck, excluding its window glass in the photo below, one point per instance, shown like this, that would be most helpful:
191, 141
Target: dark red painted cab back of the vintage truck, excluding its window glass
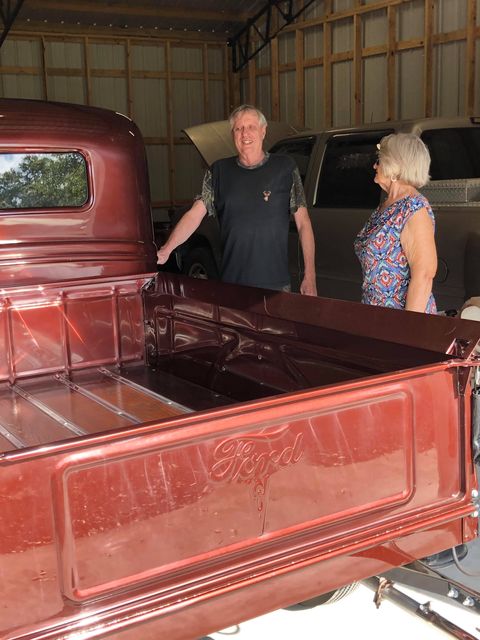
111, 235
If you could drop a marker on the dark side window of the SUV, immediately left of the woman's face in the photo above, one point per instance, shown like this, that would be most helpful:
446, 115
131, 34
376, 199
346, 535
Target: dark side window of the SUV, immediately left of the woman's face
346, 177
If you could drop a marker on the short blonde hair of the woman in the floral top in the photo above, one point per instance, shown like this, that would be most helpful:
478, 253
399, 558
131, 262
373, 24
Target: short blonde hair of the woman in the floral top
404, 156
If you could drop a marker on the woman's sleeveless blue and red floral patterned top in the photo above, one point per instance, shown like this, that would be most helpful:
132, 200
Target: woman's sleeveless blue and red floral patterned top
386, 272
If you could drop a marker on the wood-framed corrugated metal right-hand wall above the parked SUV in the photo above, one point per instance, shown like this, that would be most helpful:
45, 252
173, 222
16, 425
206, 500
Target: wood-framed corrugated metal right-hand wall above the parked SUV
345, 62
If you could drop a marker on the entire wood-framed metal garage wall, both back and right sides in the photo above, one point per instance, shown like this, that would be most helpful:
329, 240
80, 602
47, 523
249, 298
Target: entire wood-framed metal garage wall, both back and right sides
342, 62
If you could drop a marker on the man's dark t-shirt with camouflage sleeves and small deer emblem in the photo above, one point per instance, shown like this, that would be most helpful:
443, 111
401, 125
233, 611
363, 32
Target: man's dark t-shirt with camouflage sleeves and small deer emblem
253, 206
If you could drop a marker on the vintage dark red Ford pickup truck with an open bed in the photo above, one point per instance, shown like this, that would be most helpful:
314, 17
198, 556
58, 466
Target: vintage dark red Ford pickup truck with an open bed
179, 454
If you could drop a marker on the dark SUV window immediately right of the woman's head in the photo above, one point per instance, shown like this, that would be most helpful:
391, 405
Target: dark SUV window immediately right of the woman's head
455, 153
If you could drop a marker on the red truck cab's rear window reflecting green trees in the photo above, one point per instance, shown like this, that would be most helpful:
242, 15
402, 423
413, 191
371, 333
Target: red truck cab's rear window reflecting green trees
42, 180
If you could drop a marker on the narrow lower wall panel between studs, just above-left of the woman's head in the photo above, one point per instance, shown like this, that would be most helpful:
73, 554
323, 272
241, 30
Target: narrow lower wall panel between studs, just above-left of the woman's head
374, 83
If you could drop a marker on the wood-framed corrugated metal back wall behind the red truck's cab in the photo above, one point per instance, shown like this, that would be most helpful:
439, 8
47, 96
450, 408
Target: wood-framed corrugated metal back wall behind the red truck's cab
164, 86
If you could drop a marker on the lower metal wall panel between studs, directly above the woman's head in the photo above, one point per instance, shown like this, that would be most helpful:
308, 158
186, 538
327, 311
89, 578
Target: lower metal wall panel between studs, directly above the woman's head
409, 84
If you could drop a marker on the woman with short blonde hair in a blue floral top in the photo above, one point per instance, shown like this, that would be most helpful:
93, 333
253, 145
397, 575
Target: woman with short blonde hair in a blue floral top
396, 247
